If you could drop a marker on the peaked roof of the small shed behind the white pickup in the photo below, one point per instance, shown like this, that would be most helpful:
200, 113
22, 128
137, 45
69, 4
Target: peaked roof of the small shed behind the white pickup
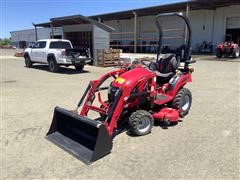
72, 20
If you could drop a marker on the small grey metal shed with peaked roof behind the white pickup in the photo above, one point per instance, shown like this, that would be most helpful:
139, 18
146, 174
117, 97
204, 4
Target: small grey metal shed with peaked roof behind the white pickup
82, 31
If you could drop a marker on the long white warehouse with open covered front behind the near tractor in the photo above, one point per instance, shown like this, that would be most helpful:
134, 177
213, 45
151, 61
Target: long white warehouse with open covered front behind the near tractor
210, 20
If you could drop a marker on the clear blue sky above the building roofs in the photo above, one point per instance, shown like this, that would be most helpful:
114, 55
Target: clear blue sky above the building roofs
20, 14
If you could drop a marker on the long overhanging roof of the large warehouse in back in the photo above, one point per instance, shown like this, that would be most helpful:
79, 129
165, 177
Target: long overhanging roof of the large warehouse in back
174, 7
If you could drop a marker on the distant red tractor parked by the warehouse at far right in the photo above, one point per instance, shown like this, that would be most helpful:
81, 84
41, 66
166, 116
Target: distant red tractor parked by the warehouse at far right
228, 48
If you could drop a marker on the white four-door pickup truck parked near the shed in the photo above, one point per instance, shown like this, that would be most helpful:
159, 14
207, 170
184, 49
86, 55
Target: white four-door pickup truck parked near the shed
56, 52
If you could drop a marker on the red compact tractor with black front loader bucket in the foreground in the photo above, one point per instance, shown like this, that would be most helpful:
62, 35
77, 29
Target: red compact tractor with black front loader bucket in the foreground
138, 95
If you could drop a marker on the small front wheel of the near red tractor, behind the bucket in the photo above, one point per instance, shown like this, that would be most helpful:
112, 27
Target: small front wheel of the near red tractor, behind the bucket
140, 122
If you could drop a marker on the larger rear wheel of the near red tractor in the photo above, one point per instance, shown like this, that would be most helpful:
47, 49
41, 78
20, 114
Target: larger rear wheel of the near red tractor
183, 101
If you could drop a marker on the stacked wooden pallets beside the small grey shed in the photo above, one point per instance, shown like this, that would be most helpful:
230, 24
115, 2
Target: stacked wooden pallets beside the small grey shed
108, 58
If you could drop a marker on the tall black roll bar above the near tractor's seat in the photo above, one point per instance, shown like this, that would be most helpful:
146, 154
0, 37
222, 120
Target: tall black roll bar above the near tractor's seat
187, 22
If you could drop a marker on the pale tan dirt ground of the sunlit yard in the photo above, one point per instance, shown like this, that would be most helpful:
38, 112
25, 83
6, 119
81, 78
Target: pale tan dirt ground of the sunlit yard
204, 145
